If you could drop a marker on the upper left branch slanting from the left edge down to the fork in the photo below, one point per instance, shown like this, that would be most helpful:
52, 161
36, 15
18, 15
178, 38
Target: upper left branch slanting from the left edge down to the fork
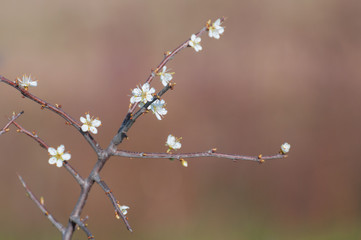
56, 109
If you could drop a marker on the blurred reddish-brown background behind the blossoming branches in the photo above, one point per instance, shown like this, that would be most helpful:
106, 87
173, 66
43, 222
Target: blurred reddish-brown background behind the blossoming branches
284, 70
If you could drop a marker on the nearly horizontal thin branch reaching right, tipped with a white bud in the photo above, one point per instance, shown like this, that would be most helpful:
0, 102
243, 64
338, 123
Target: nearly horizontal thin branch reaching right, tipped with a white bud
210, 153
